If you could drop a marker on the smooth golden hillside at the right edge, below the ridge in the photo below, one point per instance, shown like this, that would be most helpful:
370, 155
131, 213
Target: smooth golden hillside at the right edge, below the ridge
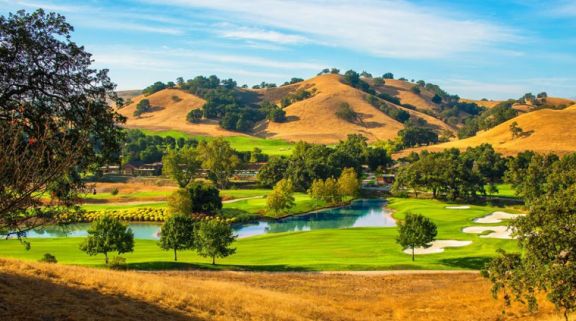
545, 130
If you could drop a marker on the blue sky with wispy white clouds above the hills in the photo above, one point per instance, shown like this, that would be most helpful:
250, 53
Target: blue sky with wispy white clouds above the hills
473, 48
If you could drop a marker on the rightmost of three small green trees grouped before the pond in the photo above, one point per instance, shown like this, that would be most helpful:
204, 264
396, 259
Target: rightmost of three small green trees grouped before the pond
213, 239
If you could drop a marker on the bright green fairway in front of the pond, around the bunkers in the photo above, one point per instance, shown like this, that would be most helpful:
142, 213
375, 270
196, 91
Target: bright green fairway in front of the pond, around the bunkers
345, 249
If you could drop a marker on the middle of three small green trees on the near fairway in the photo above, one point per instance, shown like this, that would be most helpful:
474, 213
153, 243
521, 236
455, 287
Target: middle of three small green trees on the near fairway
177, 234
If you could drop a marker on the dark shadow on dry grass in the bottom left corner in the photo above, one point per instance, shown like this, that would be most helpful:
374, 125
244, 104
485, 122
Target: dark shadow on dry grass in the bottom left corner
53, 301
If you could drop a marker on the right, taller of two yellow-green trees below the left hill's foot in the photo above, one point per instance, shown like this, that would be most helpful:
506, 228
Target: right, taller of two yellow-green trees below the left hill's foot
219, 158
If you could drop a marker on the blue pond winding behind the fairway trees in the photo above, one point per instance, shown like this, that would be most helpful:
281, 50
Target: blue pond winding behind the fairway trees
361, 213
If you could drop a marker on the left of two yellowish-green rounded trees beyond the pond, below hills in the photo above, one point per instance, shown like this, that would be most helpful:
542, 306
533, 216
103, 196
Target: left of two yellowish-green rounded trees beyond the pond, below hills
181, 165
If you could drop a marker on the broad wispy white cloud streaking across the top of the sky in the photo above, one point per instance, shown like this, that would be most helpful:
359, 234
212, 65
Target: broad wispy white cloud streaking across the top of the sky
384, 28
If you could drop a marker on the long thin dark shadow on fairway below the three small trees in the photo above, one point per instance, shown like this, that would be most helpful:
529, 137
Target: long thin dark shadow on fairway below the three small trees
159, 265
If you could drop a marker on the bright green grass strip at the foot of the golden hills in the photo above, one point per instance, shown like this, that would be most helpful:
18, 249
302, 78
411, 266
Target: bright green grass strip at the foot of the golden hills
240, 143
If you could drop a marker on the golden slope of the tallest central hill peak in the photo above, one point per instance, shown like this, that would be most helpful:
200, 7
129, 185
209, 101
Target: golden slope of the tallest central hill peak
315, 120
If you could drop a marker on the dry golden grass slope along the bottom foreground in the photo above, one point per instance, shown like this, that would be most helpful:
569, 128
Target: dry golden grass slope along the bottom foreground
34, 291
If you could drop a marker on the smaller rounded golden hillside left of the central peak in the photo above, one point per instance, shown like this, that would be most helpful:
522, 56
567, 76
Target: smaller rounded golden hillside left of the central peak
169, 110
